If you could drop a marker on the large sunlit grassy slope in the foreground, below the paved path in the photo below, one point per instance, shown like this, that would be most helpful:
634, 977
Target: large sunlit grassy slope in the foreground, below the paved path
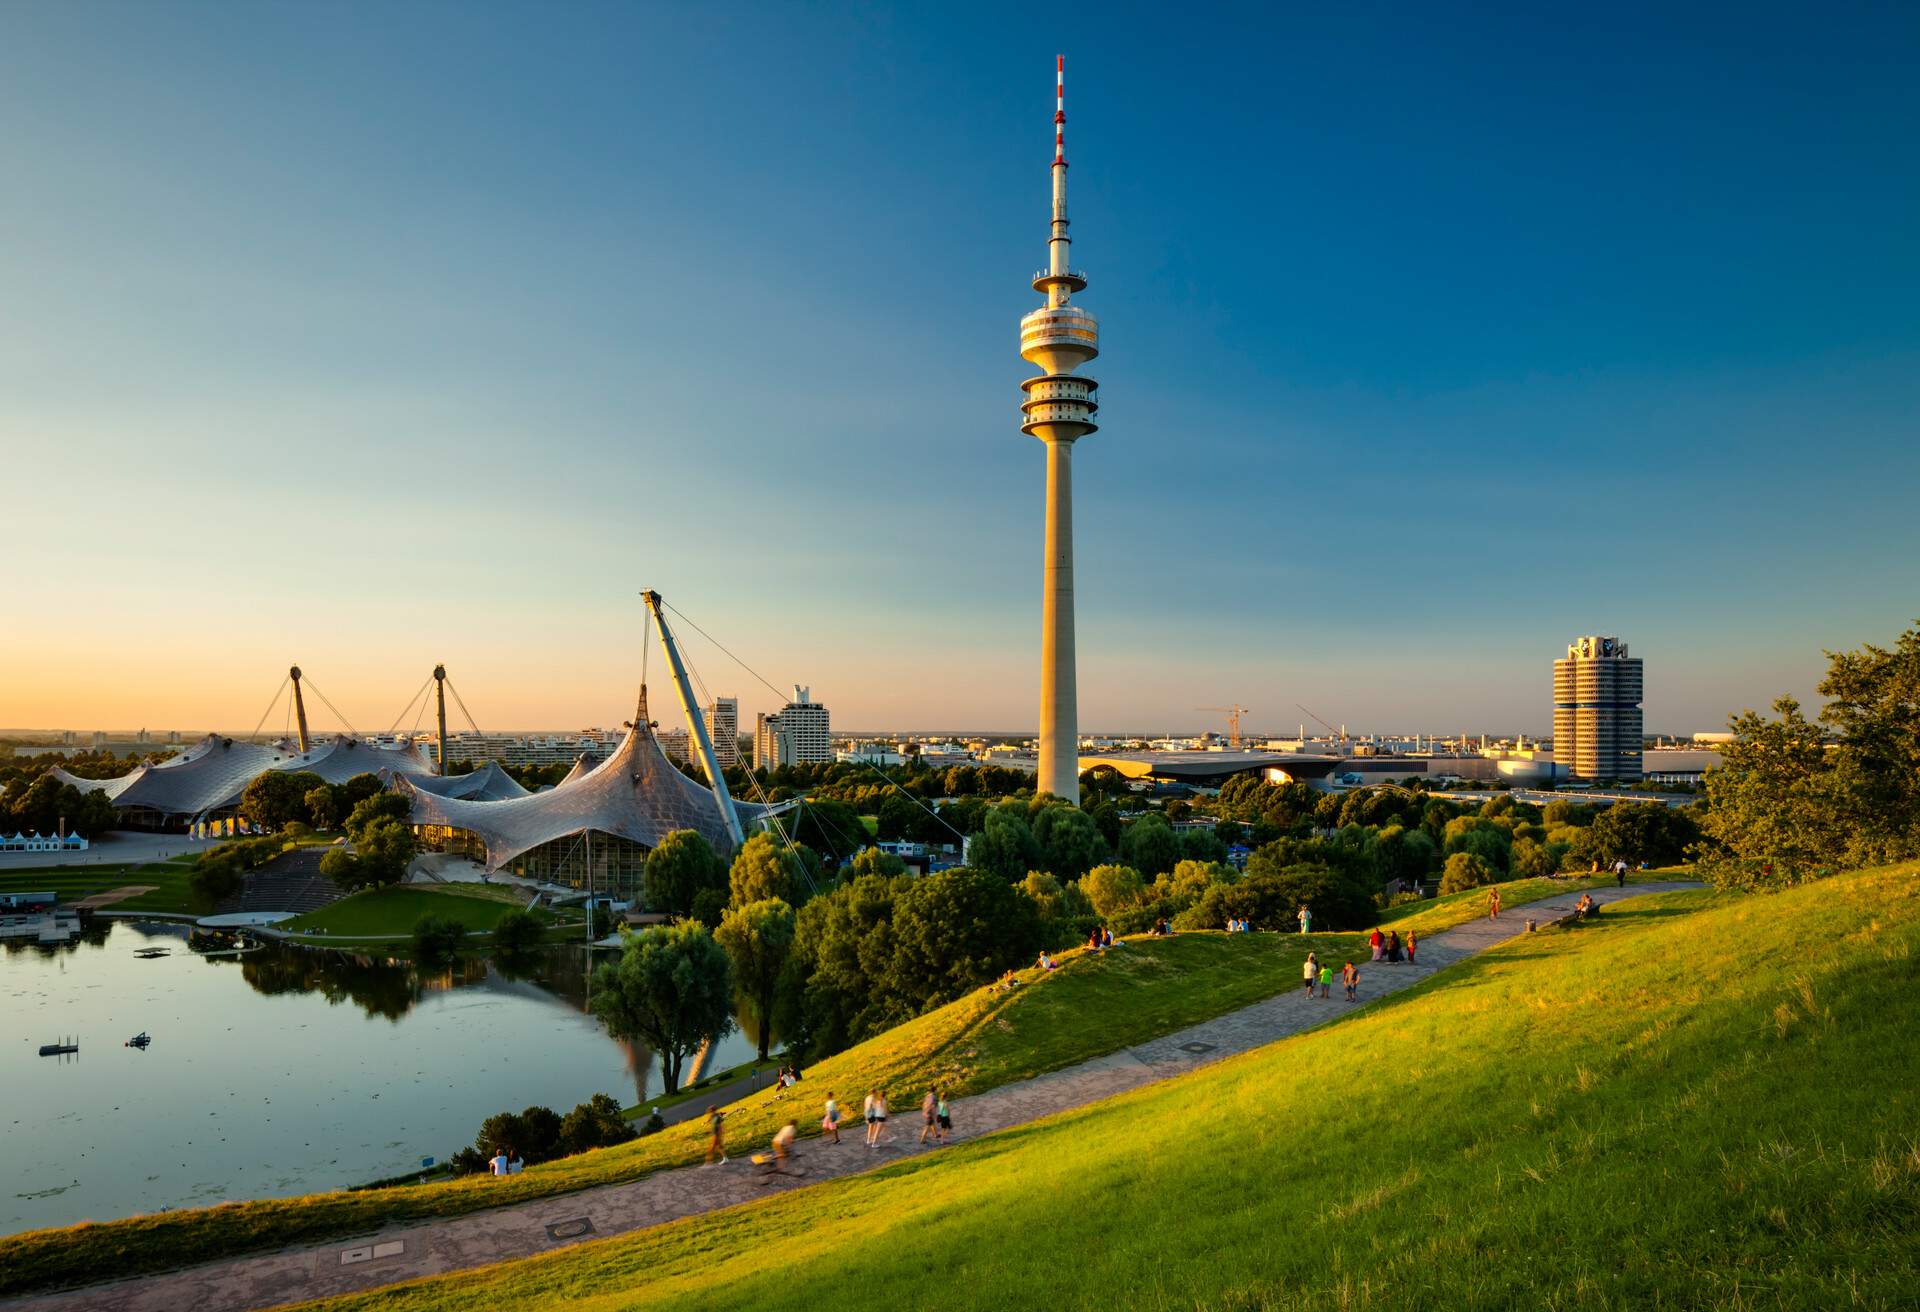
1700, 1102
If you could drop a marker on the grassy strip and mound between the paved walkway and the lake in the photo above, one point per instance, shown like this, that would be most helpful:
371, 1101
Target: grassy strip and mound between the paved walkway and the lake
1093, 1006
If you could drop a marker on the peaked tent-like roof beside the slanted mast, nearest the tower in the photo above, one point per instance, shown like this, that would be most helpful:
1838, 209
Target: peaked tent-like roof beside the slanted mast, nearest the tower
636, 794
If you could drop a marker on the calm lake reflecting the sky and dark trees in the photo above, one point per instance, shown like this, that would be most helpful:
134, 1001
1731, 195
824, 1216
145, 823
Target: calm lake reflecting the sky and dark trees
277, 1073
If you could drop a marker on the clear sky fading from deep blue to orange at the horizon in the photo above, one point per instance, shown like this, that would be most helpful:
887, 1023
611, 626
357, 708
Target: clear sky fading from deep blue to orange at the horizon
368, 337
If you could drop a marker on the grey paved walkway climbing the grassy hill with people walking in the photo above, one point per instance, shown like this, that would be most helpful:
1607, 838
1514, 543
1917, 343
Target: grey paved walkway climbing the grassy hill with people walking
531, 1228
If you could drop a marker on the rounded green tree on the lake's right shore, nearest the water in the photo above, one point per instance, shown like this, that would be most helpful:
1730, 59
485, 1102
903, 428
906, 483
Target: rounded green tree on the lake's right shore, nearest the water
673, 990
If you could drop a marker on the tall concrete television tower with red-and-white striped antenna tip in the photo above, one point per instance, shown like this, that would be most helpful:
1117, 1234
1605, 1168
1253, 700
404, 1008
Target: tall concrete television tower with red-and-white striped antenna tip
1059, 410
